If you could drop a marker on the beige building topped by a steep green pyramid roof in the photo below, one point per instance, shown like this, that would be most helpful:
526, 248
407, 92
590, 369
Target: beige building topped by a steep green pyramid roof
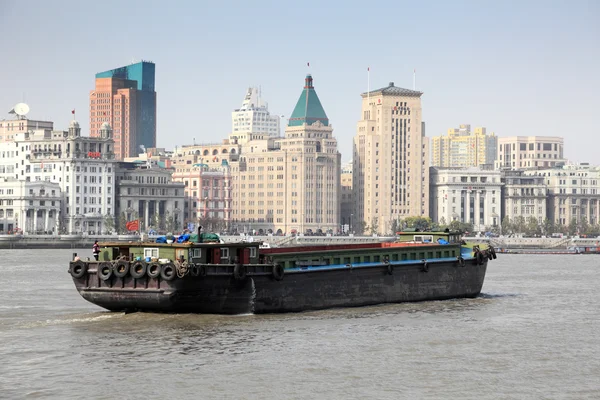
289, 184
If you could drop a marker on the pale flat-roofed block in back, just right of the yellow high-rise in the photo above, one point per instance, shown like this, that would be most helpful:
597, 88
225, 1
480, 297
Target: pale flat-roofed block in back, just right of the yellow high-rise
525, 152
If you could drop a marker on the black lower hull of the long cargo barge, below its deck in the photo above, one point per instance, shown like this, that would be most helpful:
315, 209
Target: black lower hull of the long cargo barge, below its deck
299, 290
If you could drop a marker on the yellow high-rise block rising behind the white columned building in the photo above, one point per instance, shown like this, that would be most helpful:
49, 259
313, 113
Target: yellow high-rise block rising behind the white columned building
461, 148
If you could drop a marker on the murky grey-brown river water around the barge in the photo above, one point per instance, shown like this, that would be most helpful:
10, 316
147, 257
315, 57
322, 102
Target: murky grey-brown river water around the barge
532, 334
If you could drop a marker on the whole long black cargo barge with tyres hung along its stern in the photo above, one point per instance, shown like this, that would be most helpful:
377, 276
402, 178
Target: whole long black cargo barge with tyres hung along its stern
245, 277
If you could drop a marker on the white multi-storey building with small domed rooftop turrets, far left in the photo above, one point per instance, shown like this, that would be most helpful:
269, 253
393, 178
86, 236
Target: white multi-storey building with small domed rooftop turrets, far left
83, 167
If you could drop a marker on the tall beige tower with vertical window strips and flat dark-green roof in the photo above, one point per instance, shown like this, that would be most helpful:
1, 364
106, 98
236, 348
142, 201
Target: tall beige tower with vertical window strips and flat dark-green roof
391, 159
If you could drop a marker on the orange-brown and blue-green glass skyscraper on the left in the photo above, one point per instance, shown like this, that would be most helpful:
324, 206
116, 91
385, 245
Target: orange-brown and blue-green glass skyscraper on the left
125, 98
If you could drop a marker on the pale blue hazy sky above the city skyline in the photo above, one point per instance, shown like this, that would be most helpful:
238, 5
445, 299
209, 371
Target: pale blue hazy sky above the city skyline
515, 67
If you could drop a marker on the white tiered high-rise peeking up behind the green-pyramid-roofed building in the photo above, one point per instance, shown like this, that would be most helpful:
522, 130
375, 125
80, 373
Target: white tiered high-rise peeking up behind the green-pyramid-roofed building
254, 116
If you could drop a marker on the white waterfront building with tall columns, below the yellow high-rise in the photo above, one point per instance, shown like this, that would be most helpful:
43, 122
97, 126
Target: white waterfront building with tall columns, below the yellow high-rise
469, 195
